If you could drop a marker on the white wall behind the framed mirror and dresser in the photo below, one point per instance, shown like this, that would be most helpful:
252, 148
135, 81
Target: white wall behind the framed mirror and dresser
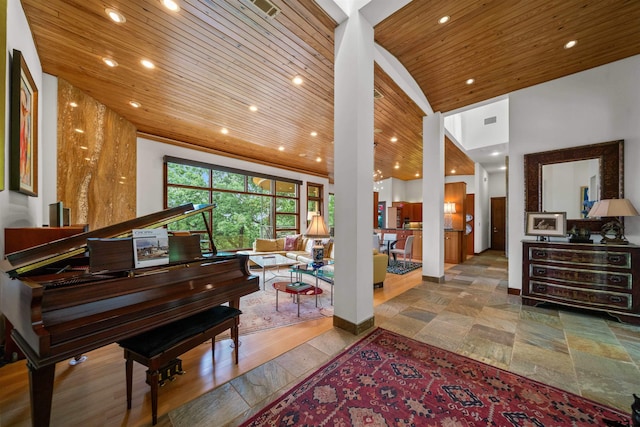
597, 105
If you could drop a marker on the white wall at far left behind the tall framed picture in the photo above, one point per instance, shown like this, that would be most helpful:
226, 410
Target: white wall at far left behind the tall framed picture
16, 209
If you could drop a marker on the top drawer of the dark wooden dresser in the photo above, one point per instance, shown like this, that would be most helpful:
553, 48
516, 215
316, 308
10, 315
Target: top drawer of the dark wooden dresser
585, 257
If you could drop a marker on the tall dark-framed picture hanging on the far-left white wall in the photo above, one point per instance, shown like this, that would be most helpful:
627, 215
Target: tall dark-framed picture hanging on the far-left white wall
23, 166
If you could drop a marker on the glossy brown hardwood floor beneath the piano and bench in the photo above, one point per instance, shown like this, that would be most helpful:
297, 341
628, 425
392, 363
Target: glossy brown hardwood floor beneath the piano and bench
93, 393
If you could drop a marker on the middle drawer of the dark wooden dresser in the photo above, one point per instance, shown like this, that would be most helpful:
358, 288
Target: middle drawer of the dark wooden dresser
616, 281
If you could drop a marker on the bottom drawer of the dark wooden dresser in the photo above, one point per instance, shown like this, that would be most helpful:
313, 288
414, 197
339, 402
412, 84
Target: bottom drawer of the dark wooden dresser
581, 296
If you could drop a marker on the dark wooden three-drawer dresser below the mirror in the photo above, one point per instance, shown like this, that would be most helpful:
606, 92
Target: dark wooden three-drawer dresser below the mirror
597, 277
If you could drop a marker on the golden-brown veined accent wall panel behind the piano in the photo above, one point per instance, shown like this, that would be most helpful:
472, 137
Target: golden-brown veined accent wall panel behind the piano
96, 160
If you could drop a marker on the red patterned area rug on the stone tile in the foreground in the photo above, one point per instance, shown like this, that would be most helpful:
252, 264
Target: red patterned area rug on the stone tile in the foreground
386, 379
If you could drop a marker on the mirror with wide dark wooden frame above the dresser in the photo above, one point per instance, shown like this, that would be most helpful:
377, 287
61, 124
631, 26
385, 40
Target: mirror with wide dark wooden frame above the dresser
606, 179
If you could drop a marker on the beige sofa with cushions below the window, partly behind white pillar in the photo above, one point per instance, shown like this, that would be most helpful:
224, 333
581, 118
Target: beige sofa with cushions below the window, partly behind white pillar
301, 252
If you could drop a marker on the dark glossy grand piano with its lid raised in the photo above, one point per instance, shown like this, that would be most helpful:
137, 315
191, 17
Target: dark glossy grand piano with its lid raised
63, 302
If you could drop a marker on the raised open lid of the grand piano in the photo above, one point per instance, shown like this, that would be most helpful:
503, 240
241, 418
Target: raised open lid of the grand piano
21, 262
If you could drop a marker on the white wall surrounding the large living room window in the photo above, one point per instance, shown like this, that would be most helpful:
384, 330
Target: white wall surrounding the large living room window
150, 174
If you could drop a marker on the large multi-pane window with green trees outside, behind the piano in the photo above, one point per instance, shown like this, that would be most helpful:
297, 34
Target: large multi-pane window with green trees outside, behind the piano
248, 206
